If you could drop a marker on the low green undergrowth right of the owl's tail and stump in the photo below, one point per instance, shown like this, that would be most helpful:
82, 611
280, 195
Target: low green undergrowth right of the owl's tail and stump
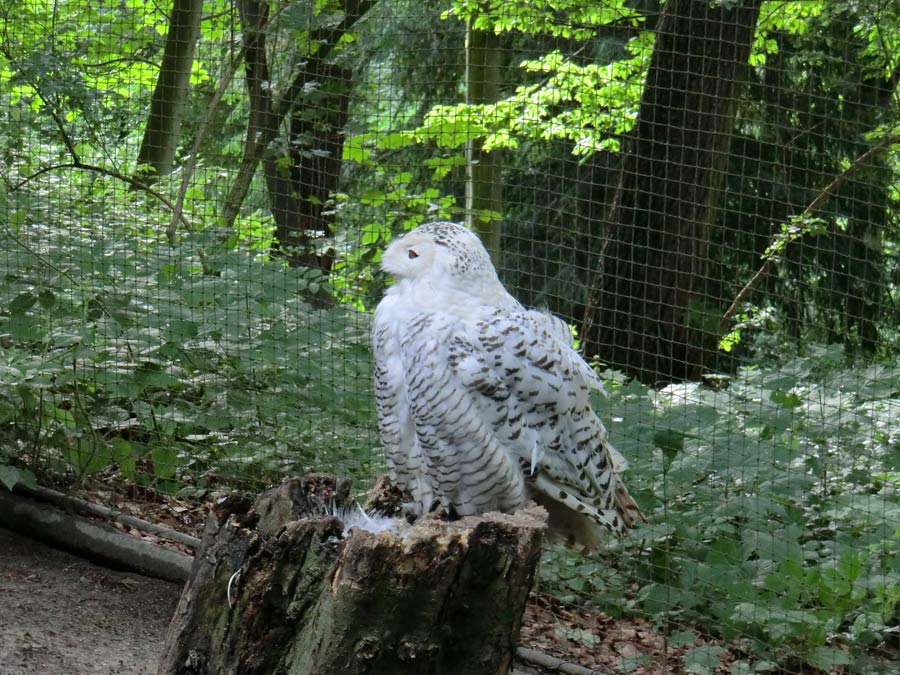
774, 514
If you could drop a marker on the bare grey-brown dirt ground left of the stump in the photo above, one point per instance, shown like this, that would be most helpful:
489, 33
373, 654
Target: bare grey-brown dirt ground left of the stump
63, 615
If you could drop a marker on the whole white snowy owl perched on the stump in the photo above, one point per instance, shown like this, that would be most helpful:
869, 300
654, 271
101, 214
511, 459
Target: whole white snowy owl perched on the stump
482, 403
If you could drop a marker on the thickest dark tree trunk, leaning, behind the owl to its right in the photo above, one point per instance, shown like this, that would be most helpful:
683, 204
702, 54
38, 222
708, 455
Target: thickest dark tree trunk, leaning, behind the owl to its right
646, 313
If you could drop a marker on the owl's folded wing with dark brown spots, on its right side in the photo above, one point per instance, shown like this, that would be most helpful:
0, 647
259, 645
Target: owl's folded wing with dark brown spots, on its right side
549, 423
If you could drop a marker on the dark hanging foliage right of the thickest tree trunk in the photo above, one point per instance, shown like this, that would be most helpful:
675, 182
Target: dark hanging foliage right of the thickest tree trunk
819, 100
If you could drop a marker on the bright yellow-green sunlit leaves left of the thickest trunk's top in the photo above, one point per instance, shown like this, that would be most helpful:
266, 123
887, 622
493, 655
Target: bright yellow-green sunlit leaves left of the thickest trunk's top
589, 104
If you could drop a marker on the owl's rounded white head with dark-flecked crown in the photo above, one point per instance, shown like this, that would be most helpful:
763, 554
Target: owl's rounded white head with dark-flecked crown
438, 251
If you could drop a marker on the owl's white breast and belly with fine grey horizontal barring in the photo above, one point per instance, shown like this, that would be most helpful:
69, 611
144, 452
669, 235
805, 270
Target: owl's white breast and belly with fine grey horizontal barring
437, 441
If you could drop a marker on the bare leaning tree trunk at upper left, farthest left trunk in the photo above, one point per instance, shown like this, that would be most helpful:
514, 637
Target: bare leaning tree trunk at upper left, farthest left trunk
157, 151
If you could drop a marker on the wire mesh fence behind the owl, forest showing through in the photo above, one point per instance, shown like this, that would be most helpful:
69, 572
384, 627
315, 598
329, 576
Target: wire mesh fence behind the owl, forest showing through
196, 195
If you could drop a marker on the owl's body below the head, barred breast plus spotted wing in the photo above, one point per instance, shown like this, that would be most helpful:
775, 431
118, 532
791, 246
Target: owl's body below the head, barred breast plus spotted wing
477, 412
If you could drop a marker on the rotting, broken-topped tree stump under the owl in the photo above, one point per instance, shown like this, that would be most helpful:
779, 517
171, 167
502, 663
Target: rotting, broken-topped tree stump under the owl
278, 587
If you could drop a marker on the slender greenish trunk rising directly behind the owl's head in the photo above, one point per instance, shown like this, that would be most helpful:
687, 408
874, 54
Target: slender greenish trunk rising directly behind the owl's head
484, 185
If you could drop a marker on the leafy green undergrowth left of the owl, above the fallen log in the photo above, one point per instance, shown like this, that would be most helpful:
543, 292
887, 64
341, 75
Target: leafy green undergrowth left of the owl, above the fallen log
189, 365
